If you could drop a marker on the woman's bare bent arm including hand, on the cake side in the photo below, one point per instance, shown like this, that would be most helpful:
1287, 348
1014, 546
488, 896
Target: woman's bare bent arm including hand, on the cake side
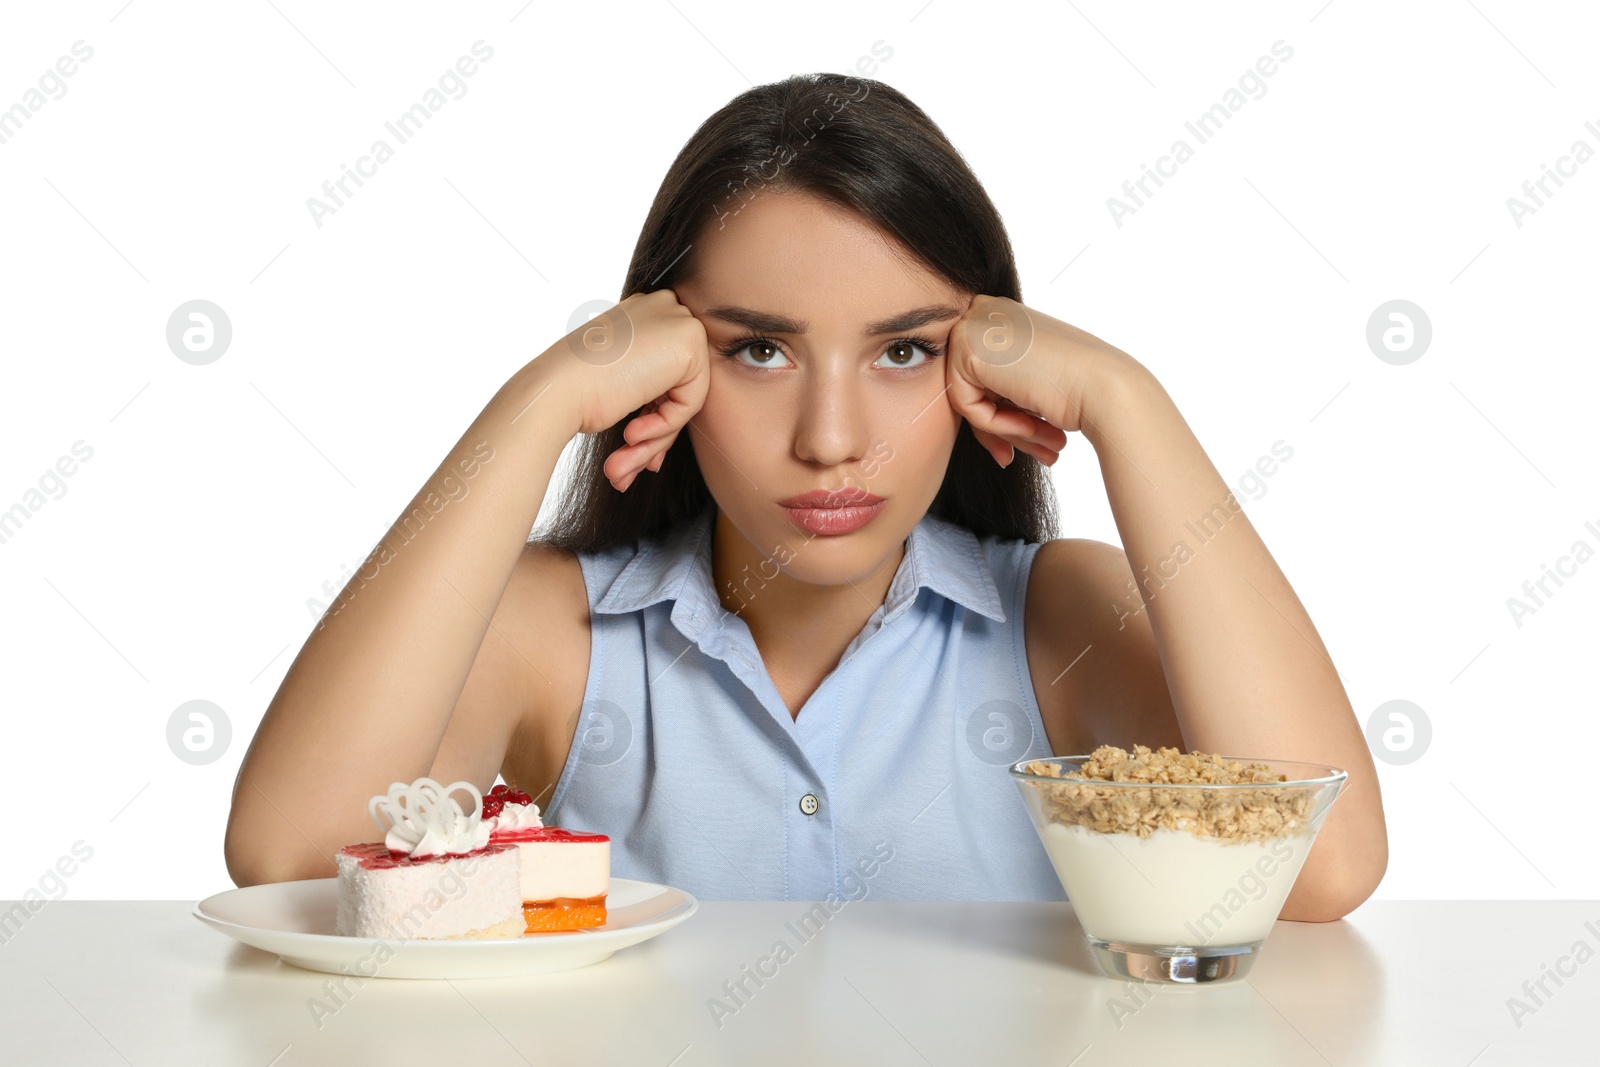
378, 685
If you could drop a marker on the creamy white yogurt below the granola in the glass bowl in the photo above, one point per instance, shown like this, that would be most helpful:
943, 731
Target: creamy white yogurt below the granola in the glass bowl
1175, 889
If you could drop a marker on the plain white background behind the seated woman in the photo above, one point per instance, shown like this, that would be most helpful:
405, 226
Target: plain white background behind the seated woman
180, 559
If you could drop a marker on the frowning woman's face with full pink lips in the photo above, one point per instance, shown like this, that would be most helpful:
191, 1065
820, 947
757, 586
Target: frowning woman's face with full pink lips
833, 394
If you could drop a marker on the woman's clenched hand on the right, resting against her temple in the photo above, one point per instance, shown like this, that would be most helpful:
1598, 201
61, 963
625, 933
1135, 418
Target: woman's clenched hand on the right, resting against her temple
1022, 378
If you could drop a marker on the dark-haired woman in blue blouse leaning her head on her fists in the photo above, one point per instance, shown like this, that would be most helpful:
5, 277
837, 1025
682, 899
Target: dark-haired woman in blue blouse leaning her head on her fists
761, 695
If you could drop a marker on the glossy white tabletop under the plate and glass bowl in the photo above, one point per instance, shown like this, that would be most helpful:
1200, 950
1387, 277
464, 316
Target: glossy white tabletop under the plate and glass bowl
884, 983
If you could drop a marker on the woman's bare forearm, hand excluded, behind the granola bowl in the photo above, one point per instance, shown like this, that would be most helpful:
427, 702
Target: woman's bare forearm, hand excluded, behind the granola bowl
1246, 668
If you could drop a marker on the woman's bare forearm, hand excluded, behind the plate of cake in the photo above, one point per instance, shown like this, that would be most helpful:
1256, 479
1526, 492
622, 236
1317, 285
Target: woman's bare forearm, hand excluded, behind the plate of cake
374, 690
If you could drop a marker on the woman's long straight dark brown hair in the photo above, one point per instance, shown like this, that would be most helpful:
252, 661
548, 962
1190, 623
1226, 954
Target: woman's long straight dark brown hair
863, 146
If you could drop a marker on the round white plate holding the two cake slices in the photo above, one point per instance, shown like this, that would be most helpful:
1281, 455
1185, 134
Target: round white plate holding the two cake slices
295, 921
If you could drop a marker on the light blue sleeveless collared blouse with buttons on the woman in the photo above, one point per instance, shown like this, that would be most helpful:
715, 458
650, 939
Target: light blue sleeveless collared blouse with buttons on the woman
892, 783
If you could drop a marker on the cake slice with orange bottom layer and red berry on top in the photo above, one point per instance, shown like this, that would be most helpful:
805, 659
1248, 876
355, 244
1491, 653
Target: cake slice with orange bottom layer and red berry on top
566, 874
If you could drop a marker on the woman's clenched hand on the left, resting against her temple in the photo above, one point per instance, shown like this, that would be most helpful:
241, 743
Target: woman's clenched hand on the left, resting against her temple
649, 354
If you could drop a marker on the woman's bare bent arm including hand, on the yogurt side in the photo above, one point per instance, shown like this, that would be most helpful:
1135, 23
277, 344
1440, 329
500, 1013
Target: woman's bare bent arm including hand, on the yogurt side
1212, 612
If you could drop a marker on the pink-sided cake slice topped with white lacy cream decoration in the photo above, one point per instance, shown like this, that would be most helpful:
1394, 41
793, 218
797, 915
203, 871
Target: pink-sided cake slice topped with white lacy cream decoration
434, 876
